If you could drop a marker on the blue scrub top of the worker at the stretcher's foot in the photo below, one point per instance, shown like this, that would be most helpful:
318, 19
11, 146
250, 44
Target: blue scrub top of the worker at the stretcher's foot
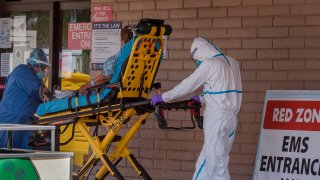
21, 95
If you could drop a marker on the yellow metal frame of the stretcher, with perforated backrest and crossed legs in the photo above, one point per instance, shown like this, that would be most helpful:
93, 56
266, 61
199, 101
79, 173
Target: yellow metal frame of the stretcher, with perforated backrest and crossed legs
135, 86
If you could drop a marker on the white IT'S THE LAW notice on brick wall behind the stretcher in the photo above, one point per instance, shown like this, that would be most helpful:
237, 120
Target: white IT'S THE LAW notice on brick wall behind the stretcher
106, 40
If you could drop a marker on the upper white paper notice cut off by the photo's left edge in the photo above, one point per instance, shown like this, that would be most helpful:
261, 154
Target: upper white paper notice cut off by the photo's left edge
5, 33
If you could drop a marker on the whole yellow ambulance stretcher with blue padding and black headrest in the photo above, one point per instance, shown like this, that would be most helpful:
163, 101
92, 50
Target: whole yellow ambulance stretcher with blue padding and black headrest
113, 105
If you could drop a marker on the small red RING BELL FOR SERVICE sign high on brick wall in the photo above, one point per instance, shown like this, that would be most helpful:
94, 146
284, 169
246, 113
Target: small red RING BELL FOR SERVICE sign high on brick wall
102, 13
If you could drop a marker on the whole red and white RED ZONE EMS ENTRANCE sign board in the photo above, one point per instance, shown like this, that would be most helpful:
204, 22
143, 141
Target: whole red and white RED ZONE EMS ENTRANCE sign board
289, 142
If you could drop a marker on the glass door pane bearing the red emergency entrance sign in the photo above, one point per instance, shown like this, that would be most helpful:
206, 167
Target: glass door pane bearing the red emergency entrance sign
76, 45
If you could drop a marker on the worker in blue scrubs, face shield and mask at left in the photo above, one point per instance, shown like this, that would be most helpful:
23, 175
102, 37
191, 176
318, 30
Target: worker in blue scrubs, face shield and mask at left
21, 97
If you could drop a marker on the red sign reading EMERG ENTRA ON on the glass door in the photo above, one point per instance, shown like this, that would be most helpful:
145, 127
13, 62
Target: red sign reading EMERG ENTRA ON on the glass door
79, 36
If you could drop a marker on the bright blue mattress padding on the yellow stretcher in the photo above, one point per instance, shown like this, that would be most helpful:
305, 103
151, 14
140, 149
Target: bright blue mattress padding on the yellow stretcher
65, 104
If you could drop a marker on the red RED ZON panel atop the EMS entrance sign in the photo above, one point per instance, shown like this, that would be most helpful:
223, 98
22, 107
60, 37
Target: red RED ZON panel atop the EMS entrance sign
292, 115
